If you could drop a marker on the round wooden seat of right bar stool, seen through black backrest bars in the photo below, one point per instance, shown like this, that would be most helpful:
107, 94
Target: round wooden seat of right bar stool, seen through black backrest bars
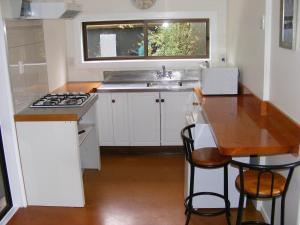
251, 184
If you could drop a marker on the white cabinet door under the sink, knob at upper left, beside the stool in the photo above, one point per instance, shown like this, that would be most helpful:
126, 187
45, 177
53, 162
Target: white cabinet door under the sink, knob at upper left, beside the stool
174, 107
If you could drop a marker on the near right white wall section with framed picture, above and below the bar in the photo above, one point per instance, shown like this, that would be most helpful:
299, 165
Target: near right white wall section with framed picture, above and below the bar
285, 94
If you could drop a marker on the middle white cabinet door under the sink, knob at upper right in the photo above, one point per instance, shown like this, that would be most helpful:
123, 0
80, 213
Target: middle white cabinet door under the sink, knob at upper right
144, 118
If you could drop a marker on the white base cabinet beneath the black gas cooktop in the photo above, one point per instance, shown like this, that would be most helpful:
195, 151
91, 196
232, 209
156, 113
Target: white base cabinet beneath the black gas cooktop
53, 154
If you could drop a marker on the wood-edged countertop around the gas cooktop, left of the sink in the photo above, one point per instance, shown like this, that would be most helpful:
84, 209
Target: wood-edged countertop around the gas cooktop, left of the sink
61, 114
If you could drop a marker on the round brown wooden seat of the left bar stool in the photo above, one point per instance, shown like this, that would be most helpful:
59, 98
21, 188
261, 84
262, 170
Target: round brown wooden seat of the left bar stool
209, 157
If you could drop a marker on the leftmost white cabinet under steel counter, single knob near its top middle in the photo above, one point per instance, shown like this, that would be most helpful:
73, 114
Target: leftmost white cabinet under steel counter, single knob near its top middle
113, 119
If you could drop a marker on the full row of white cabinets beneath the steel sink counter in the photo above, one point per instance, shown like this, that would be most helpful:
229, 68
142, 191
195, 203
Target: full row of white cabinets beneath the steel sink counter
143, 118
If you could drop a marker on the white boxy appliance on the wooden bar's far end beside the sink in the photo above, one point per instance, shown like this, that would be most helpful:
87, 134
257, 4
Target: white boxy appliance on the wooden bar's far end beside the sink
219, 80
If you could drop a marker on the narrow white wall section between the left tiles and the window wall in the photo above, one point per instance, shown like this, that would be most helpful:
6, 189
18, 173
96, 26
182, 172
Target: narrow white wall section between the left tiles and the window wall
55, 45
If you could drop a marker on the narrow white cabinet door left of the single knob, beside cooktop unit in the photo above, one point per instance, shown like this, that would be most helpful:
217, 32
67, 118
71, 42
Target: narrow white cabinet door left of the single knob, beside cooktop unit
105, 120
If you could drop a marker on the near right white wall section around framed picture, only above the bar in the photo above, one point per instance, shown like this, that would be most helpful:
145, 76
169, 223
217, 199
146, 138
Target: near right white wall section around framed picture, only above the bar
285, 80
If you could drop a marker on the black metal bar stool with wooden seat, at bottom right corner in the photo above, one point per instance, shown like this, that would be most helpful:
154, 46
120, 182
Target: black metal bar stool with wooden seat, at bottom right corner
263, 182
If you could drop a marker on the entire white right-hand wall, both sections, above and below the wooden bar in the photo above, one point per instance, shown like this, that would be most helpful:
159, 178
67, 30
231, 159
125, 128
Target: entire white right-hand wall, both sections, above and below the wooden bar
272, 73
